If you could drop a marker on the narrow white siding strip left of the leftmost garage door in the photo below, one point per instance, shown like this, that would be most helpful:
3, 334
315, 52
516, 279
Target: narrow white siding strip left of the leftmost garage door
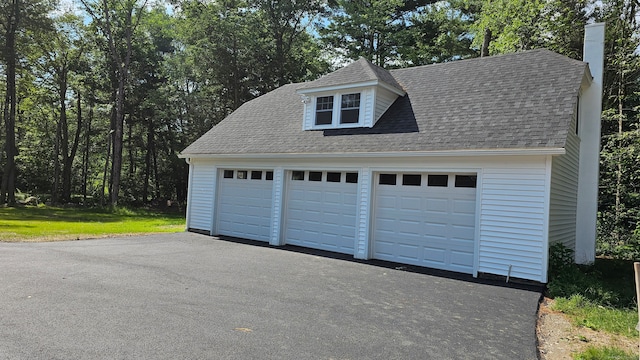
201, 196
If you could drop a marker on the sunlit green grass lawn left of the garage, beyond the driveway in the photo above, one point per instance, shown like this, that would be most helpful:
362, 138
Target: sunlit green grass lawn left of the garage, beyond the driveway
52, 224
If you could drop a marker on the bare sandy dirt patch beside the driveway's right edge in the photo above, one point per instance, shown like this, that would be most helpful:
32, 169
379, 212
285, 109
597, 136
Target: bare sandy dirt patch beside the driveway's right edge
559, 339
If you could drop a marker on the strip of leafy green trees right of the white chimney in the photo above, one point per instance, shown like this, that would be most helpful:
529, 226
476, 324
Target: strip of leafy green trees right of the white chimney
619, 200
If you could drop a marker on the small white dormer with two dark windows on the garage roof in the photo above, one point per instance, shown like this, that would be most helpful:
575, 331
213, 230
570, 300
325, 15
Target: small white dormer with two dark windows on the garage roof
354, 96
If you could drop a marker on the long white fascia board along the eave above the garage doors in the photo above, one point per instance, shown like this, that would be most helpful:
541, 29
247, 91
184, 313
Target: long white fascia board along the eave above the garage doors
470, 153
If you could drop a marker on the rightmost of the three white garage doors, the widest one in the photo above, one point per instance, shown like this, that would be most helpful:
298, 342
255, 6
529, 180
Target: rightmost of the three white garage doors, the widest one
426, 220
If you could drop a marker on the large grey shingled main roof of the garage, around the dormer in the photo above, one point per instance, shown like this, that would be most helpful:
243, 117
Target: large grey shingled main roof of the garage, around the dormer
516, 101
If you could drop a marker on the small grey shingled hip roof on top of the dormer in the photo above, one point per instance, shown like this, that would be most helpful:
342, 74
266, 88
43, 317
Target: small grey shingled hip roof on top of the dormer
356, 72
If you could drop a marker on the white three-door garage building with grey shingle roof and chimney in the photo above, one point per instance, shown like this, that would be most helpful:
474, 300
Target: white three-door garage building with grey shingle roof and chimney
473, 166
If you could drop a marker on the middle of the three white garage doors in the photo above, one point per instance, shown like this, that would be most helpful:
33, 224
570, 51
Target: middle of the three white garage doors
321, 210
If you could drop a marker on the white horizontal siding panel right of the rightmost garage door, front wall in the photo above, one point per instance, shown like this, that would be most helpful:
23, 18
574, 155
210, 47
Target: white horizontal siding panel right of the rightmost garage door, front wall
512, 222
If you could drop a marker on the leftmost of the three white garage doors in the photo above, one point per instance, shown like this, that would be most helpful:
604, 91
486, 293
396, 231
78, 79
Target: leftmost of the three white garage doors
244, 204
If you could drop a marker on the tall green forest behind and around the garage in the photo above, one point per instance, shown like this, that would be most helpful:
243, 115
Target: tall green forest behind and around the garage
100, 96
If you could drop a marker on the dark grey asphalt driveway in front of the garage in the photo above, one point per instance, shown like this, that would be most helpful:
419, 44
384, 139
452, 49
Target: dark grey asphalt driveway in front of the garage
190, 296
